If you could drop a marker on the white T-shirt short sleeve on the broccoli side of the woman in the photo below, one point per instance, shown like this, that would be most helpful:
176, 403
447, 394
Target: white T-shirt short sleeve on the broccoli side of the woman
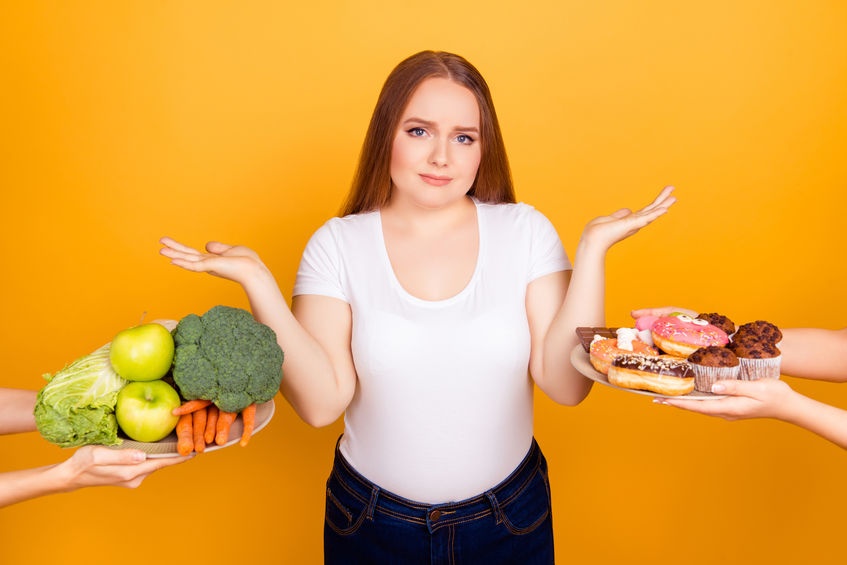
320, 270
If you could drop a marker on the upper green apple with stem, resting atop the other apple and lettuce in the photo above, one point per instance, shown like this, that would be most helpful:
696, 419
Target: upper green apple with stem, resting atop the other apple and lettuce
142, 353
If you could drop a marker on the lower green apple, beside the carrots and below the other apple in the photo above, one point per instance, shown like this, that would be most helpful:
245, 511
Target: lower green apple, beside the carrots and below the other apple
144, 410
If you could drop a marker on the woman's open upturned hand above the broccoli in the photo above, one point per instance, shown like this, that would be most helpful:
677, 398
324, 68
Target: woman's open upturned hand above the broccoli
232, 262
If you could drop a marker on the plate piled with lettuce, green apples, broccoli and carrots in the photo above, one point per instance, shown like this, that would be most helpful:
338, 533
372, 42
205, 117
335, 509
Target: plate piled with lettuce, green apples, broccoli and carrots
217, 386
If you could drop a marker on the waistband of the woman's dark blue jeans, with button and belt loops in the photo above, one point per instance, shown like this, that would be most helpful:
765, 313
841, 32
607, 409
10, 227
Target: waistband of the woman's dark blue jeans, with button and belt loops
442, 514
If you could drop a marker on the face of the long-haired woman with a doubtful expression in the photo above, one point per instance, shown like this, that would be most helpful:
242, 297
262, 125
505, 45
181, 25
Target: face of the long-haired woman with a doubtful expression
436, 149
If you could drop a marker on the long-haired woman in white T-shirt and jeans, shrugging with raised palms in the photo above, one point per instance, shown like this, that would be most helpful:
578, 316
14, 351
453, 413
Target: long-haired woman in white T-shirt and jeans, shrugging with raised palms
418, 315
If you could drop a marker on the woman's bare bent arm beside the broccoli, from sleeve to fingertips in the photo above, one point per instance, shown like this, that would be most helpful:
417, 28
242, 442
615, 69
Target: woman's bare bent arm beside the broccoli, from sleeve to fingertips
319, 377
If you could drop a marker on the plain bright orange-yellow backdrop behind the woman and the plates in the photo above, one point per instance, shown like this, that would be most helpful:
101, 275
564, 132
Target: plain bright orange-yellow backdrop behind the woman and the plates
242, 121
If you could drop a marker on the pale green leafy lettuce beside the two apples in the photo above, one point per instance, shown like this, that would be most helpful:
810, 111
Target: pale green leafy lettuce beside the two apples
77, 405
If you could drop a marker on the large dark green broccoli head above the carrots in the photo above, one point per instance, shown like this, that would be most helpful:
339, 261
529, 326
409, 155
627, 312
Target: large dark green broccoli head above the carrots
226, 356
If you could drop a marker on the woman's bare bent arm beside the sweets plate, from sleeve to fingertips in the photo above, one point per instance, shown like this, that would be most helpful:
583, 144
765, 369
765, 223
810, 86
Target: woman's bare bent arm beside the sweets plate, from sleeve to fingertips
557, 304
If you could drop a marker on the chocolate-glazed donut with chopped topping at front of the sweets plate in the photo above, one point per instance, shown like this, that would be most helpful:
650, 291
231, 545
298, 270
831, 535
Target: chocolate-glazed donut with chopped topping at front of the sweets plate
663, 374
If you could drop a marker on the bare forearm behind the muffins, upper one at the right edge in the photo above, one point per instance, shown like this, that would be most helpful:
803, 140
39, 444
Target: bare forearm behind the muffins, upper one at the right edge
814, 353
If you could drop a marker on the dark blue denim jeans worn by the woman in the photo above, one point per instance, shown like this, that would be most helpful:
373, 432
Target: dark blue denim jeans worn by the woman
510, 523
